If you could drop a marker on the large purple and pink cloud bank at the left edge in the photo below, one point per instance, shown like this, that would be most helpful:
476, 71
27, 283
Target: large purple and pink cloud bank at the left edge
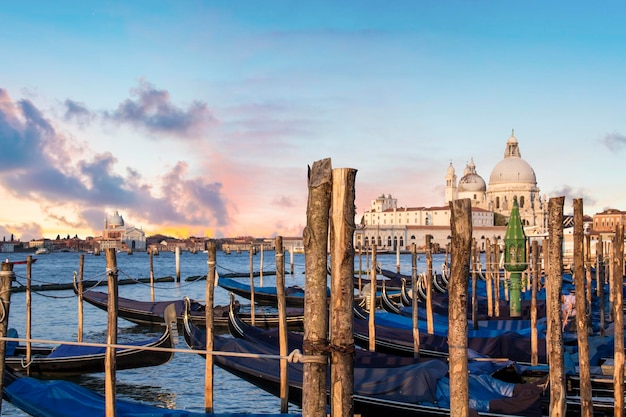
36, 165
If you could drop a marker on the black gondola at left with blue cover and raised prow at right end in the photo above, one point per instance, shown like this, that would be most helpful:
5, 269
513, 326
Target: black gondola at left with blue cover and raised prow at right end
70, 359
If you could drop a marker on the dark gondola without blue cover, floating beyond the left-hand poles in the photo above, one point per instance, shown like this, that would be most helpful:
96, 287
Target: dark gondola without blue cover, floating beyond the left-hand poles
151, 312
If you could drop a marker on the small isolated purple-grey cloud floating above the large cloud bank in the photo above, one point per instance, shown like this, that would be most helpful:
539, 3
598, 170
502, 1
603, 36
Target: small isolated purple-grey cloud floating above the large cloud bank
151, 109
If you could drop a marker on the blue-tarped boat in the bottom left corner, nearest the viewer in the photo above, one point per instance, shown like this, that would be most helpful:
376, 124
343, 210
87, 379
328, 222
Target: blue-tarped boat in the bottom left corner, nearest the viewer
60, 398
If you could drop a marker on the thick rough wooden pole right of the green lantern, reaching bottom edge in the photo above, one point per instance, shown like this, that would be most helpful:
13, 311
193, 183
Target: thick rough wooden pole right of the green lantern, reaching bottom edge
554, 283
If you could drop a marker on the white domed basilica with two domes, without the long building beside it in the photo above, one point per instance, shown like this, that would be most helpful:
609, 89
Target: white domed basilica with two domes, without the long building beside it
511, 178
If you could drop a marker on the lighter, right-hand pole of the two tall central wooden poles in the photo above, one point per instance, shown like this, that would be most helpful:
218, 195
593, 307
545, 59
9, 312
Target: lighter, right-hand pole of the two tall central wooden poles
342, 293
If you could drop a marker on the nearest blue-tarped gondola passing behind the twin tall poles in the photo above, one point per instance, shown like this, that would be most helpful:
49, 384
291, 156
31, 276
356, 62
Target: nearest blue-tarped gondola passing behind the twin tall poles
383, 384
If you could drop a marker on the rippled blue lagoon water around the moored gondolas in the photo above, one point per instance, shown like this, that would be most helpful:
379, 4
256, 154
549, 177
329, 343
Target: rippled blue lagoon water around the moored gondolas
178, 384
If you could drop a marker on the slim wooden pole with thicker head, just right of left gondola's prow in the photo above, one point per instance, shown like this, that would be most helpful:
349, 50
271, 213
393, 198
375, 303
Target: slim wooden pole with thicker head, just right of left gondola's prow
208, 315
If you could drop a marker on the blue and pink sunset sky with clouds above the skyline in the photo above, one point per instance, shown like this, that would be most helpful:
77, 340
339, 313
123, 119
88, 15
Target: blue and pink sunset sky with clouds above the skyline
201, 118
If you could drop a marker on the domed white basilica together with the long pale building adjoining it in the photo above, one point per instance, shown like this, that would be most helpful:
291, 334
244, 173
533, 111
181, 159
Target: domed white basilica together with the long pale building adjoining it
391, 227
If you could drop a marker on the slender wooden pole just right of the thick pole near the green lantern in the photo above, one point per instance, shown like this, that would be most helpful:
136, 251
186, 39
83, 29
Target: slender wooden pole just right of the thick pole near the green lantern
586, 403
